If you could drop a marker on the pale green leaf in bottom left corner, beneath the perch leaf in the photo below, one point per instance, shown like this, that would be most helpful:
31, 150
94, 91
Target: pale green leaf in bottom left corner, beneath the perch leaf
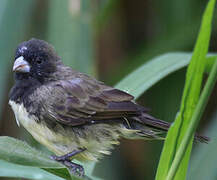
19, 171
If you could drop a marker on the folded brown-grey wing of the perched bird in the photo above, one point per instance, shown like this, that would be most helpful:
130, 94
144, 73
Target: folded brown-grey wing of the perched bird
79, 101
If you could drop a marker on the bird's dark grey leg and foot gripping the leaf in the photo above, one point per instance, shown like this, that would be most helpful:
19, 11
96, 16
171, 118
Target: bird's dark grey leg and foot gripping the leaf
65, 160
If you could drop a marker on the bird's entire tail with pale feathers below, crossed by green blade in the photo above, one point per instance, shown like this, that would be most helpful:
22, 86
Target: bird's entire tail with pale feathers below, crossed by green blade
150, 128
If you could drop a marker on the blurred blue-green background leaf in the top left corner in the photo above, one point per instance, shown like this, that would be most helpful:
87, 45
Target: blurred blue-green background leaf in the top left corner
9, 21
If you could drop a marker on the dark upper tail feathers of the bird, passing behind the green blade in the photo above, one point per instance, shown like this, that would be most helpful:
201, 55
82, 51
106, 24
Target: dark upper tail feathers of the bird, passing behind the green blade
160, 125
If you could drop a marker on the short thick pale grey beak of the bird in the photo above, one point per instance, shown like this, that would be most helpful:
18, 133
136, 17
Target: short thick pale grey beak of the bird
21, 65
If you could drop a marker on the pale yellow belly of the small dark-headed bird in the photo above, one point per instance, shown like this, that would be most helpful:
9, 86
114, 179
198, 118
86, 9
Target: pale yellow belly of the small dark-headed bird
64, 141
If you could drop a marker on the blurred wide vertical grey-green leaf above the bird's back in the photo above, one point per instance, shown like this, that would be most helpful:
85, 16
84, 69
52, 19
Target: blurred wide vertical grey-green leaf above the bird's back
72, 19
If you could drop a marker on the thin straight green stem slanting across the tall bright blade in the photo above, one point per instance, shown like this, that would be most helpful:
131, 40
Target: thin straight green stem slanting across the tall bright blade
194, 121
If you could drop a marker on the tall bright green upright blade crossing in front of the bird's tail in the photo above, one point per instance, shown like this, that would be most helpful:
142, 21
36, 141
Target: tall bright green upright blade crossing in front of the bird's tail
189, 101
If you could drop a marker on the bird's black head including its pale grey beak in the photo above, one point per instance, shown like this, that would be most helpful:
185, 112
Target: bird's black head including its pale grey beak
35, 59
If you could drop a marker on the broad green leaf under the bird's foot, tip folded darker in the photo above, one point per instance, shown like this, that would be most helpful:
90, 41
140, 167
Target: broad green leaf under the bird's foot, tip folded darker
19, 152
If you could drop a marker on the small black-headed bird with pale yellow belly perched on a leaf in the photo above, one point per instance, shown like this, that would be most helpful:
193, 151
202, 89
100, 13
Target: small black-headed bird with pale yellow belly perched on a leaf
72, 114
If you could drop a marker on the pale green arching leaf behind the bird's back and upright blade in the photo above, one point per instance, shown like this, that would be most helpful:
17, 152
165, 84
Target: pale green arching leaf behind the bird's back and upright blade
156, 69
